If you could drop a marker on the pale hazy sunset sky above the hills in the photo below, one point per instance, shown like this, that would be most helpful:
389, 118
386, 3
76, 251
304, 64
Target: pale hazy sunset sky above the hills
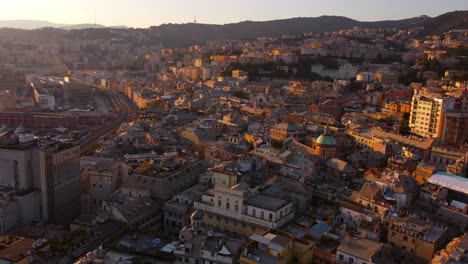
143, 13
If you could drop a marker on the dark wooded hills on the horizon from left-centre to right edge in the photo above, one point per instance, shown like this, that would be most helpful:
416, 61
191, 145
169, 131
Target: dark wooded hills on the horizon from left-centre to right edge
191, 33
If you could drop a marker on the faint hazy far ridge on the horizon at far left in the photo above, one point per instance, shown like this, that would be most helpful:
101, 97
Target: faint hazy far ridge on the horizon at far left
36, 24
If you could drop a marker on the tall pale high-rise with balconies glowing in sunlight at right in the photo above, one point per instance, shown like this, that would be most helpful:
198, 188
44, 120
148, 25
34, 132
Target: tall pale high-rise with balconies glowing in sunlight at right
428, 112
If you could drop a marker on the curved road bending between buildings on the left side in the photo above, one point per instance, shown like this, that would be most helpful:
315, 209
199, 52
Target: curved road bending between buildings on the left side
126, 111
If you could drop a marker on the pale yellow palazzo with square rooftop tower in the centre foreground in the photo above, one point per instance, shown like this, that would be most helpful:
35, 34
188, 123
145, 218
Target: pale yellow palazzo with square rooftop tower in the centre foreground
238, 209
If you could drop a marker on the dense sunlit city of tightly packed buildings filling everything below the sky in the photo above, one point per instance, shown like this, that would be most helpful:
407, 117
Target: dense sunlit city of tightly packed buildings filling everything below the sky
119, 145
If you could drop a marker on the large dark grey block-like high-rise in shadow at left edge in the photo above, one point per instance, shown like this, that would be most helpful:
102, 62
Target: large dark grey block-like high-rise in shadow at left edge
53, 168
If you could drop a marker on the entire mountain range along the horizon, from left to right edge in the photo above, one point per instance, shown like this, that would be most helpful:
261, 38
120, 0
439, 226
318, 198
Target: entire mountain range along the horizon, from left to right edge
183, 35
